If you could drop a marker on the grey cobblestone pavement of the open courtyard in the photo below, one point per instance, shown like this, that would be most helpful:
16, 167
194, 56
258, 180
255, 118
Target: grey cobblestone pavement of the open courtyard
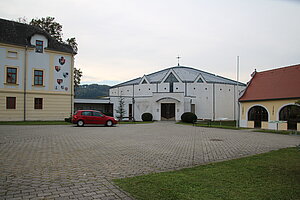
67, 162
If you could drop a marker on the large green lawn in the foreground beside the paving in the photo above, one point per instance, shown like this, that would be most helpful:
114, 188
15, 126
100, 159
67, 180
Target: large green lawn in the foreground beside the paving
273, 175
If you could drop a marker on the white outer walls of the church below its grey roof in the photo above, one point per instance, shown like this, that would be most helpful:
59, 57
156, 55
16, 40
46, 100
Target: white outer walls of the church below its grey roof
207, 97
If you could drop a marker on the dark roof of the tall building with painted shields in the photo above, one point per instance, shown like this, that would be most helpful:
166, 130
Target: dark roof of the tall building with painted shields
16, 33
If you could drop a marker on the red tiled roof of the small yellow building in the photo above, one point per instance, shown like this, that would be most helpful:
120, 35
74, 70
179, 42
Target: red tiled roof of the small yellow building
281, 83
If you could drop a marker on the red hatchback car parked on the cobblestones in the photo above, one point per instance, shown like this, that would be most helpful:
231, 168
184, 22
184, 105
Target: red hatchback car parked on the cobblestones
82, 117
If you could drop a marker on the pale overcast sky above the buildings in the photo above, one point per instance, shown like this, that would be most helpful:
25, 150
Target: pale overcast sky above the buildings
124, 39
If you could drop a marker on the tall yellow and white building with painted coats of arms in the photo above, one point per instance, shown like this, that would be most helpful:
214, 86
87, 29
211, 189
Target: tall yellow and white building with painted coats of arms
36, 74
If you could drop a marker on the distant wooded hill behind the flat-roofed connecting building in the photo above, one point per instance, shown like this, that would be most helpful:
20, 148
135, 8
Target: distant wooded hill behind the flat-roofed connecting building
92, 91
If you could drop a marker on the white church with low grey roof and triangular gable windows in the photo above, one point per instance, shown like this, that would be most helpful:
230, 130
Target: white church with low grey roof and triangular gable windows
168, 93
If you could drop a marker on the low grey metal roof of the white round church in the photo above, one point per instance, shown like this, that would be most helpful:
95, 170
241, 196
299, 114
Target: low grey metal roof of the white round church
186, 74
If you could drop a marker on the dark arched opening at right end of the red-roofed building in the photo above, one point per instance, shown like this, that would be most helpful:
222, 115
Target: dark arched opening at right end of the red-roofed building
291, 114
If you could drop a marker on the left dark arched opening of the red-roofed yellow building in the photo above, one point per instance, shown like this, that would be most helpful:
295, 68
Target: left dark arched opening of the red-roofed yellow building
257, 114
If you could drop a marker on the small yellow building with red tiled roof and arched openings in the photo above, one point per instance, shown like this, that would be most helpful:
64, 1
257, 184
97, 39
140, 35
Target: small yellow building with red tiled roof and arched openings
269, 101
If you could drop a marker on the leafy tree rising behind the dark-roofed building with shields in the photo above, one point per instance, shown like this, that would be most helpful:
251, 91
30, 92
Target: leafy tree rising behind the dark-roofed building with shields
54, 29
